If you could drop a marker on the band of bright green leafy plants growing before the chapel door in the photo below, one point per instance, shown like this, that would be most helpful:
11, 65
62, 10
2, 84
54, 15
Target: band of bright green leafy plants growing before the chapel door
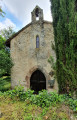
43, 99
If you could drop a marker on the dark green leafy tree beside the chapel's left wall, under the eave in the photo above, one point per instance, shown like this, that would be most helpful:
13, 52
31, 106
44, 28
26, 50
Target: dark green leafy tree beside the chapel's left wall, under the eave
5, 60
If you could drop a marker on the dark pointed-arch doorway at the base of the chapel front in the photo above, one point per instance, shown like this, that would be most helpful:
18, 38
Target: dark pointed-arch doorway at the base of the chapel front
37, 81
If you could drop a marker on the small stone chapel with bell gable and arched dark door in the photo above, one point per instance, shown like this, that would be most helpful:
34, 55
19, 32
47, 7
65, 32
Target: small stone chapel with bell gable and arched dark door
30, 49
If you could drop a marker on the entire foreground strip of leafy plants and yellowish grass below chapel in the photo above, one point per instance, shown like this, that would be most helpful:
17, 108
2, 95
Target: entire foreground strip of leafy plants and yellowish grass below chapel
19, 105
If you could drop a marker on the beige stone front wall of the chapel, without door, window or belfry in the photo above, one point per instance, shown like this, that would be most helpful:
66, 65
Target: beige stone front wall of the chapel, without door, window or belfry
27, 58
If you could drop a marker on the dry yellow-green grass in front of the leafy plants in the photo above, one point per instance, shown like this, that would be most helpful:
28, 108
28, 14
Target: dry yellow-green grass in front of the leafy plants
18, 110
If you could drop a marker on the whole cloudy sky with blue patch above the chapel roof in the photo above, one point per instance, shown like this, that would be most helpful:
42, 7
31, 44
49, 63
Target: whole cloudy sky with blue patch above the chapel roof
18, 12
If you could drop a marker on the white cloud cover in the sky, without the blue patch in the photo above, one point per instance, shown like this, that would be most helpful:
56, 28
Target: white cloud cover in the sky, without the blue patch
22, 9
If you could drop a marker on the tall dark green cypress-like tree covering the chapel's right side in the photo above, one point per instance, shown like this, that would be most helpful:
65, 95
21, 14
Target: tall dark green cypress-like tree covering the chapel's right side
64, 14
